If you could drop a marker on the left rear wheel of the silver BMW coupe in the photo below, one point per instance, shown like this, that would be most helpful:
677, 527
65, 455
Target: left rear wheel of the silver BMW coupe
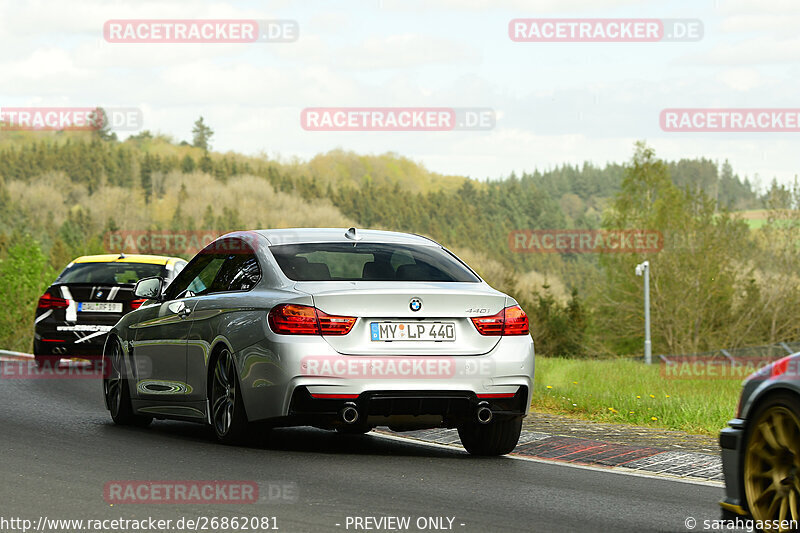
227, 408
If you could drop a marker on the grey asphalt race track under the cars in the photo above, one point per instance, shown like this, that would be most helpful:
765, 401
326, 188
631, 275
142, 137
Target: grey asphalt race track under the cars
60, 448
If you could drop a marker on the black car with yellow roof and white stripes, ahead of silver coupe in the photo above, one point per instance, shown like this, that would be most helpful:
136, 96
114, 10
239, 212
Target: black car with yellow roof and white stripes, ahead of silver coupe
92, 293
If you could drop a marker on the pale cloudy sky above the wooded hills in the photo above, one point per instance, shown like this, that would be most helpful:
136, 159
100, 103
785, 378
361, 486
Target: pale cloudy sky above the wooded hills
553, 102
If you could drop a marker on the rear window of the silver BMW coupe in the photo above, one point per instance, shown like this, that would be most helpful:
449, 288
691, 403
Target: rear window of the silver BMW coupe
343, 261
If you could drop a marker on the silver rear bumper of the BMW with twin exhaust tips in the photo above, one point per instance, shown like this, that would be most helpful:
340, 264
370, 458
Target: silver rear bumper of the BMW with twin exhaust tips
278, 381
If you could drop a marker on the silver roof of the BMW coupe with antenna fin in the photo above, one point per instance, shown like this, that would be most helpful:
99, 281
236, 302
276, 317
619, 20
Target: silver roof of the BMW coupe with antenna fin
306, 235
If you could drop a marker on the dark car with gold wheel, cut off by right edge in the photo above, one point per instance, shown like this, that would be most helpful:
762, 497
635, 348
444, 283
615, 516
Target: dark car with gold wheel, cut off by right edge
761, 449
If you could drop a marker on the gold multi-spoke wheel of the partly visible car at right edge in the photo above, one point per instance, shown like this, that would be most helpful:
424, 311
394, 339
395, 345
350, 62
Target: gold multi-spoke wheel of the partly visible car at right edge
772, 465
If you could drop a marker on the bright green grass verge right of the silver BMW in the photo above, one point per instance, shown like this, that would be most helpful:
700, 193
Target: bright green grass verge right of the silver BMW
626, 391
